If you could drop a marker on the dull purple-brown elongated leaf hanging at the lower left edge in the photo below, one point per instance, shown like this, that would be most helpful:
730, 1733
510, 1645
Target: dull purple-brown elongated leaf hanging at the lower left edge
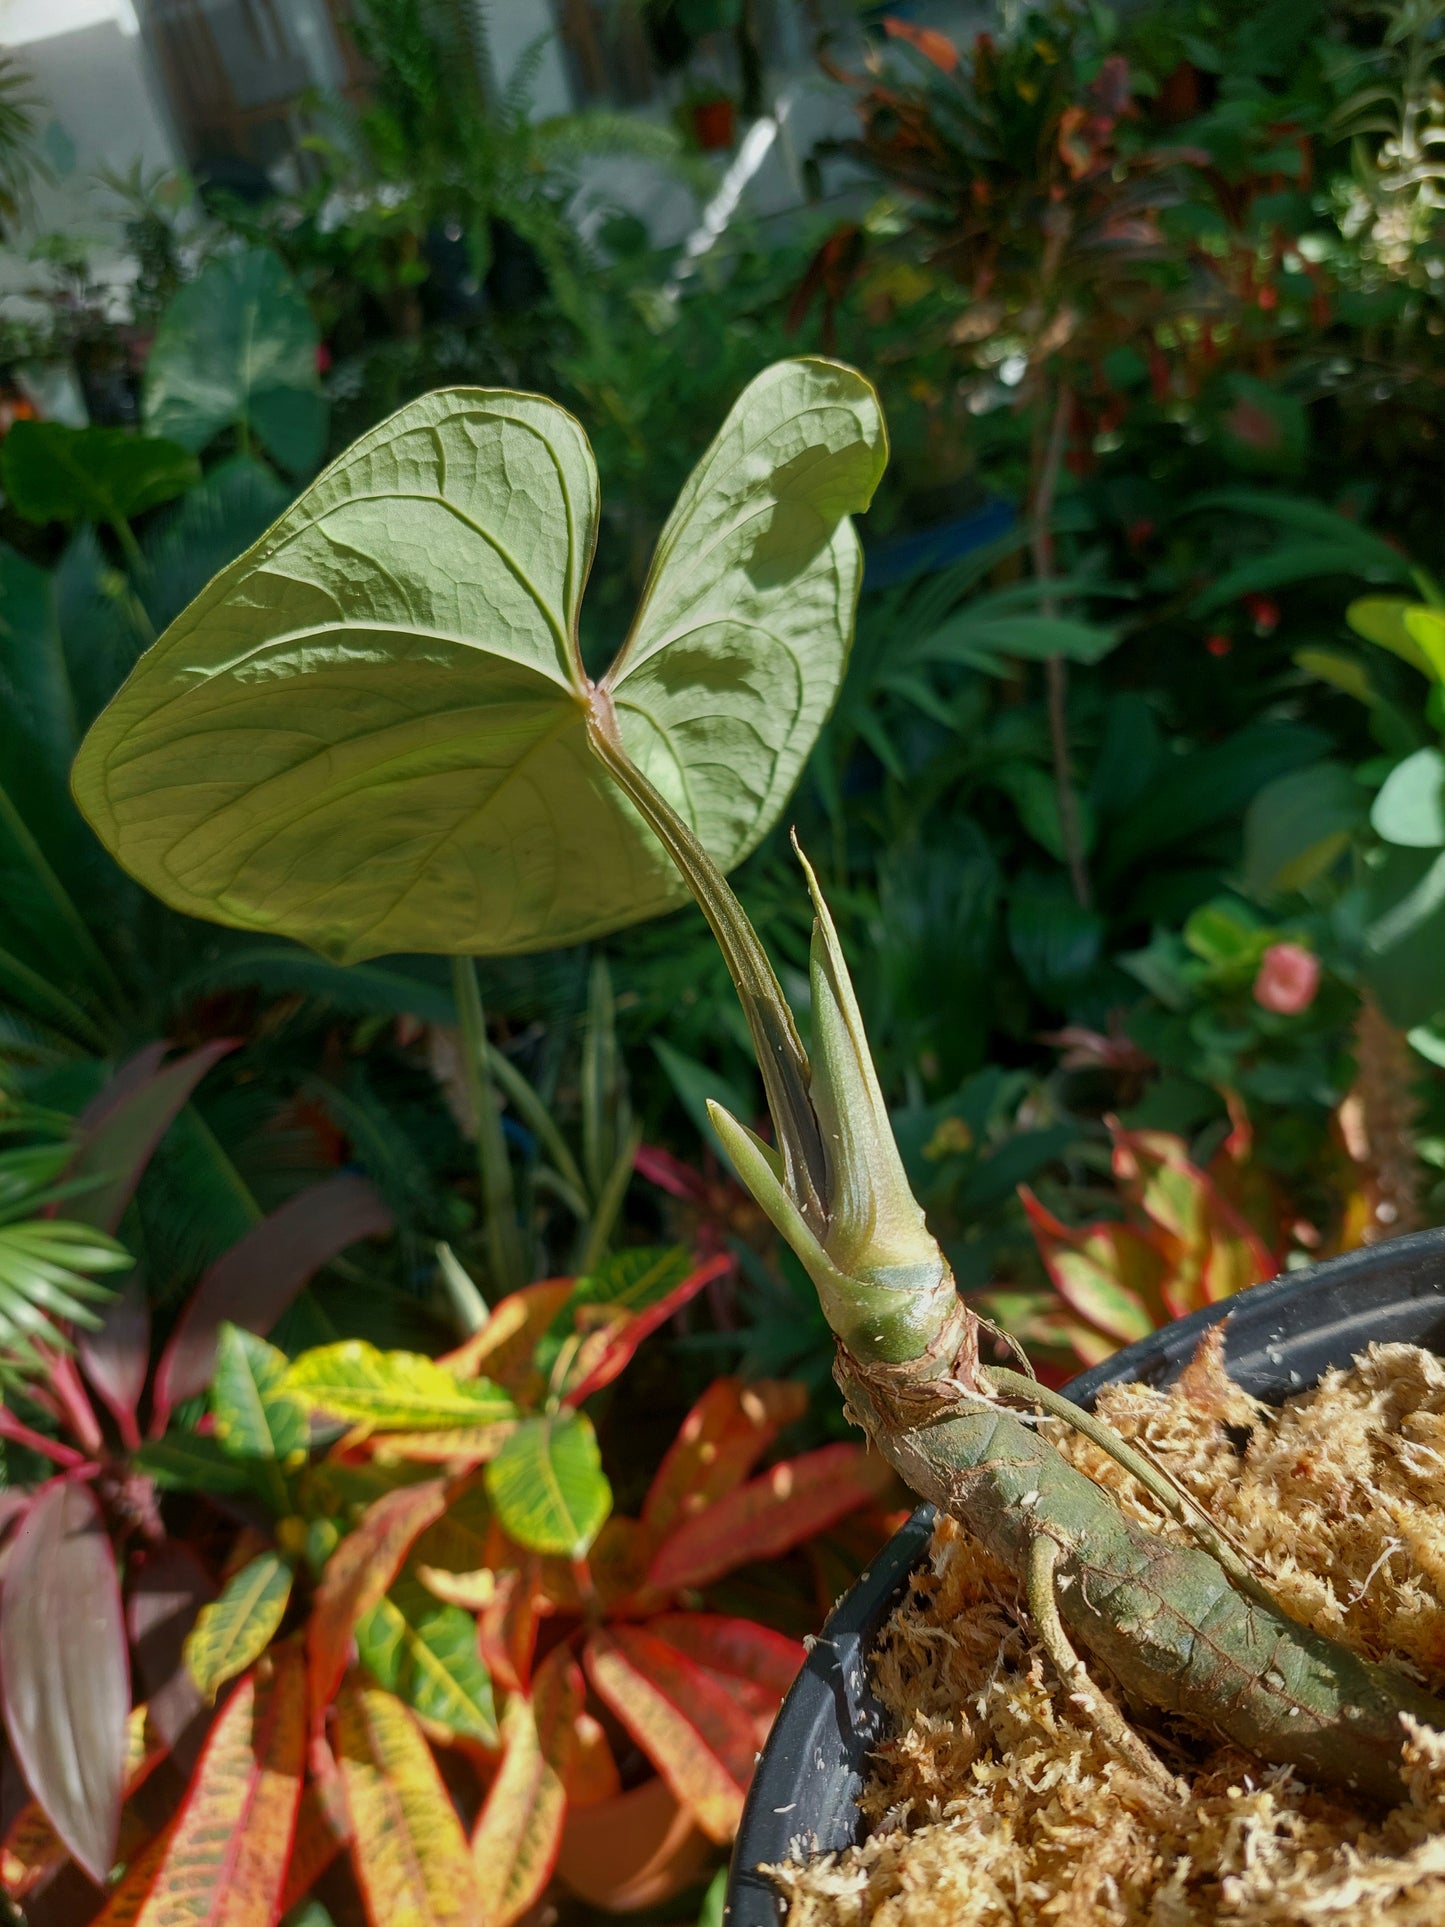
65, 1670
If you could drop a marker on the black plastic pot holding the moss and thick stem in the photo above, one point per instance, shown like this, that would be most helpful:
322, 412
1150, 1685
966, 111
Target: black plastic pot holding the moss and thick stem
1278, 1340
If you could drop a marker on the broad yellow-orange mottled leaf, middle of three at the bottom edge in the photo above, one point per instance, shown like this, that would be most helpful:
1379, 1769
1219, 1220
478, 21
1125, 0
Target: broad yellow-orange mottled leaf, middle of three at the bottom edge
407, 1845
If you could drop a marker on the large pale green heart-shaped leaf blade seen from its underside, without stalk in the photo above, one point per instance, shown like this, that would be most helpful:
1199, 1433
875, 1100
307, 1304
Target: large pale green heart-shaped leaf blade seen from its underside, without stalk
371, 733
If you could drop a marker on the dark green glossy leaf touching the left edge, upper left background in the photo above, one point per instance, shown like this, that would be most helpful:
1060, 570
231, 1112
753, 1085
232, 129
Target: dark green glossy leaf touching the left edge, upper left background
90, 475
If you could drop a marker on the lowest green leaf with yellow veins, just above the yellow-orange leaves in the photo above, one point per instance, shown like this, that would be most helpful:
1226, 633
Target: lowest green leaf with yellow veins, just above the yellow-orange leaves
427, 1654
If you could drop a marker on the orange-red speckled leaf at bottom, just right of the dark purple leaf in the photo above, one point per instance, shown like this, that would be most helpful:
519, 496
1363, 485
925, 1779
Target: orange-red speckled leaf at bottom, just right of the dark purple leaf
226, 1861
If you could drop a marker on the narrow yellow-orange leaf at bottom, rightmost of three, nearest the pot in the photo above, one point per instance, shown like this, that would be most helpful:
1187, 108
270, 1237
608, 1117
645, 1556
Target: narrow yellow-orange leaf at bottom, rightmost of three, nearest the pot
521, 1828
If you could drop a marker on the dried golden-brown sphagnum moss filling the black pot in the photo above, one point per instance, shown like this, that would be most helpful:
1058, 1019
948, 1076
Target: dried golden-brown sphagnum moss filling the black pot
995, 1805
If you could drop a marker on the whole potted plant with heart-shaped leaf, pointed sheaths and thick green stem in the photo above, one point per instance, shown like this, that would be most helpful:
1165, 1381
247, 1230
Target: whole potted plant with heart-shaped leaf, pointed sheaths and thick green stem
375, 733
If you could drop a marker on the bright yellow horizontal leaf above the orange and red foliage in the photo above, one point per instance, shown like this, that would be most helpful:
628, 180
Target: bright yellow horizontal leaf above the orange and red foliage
392, 1390
